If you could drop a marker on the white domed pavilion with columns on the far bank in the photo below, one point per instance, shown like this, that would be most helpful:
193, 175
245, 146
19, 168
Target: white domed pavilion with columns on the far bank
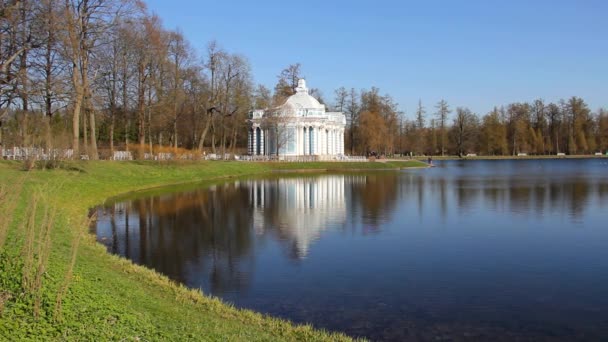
299, 127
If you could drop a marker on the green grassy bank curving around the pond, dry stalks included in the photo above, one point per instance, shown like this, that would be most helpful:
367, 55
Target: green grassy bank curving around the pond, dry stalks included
56, 282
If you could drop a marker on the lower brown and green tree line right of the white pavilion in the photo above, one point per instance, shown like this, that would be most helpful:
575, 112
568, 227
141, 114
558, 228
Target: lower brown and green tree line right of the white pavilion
538, 128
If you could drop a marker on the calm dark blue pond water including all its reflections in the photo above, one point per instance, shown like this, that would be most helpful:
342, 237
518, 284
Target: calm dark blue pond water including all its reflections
486, 250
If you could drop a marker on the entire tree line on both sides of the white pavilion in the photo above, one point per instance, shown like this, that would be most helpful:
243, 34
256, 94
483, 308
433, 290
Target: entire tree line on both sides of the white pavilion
101, 75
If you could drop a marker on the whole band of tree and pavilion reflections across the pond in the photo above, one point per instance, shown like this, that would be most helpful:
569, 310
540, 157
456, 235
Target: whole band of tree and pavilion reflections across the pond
205, 237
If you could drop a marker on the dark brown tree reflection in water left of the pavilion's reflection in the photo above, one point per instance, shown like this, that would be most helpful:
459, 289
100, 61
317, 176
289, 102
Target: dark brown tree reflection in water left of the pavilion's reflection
204, 233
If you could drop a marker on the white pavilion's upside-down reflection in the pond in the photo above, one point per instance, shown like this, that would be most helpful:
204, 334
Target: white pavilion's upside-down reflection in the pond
299, 208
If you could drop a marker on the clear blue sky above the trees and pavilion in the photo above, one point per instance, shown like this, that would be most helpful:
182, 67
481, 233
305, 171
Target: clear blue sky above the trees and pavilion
471, 52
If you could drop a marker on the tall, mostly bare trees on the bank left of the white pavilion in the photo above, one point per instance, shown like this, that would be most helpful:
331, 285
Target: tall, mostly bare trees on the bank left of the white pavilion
97, 75
